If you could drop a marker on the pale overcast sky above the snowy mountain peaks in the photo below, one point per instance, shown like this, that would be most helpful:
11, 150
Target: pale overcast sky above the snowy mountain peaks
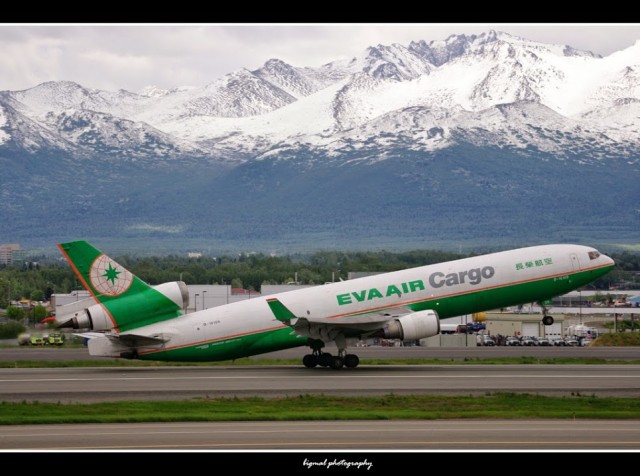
131, 57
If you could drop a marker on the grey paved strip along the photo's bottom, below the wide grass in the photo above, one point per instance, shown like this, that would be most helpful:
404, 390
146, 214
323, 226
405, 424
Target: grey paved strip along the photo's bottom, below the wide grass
330, 435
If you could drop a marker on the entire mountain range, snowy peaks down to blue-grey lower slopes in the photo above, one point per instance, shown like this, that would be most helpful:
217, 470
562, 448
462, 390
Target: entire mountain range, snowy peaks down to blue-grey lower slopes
286, 142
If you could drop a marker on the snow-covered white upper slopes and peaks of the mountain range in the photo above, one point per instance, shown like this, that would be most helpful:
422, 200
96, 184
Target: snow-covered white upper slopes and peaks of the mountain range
252, 110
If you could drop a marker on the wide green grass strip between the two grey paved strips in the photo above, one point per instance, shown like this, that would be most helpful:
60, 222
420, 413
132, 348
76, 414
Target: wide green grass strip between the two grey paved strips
320, 407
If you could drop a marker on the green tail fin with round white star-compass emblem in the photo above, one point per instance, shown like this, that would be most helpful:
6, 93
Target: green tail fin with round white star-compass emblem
129, 301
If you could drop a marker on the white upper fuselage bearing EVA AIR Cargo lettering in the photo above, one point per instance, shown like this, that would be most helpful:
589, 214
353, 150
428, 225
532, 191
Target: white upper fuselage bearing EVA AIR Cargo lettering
403, 288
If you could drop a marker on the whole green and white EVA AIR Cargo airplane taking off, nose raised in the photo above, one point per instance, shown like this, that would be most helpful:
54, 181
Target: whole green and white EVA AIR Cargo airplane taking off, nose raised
133, 320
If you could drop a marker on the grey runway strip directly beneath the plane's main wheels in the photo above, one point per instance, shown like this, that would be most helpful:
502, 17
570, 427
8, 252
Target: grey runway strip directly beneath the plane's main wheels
76, 384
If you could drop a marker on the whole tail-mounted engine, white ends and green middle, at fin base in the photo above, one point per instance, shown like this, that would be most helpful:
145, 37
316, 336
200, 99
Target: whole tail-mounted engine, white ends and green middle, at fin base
146, 310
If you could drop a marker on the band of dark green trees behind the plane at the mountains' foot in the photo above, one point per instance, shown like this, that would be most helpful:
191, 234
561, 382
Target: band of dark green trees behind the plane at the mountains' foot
38, 280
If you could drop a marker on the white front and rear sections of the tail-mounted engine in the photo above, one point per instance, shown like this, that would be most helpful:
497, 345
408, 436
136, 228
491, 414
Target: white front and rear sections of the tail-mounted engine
96, 318
